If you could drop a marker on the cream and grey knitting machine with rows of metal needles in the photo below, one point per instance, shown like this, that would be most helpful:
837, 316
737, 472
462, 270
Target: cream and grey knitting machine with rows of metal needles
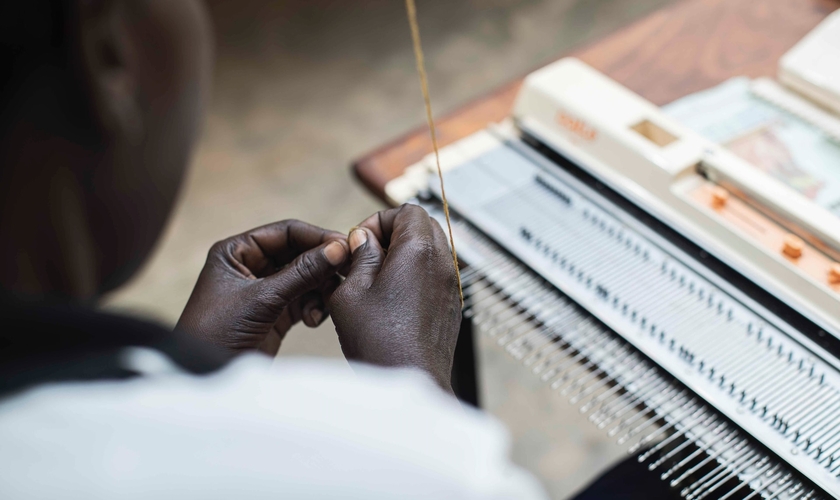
656, 281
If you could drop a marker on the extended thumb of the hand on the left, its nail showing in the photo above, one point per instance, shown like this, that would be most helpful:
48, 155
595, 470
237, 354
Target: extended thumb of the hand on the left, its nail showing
308, 271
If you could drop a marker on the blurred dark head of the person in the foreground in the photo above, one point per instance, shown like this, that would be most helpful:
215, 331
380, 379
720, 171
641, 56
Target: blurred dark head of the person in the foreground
99, 110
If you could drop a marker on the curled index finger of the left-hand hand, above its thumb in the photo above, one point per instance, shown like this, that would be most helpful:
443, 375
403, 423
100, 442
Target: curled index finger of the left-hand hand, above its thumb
266, 249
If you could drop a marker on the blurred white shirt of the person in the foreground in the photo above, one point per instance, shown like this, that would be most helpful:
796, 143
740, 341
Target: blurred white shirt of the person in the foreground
305, 430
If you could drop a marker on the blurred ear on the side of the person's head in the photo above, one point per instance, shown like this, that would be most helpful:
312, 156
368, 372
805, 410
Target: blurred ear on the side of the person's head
110, 68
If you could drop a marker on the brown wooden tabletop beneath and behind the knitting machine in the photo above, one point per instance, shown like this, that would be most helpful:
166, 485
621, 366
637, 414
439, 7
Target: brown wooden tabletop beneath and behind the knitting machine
687, 47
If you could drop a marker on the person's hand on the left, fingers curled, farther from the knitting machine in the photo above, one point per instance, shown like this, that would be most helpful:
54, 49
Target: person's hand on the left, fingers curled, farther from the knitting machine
258, 284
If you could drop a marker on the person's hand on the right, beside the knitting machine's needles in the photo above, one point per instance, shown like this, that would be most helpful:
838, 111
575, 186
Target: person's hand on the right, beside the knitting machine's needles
399, 305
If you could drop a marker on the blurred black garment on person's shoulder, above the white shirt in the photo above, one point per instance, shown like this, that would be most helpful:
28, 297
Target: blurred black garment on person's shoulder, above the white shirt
61, 342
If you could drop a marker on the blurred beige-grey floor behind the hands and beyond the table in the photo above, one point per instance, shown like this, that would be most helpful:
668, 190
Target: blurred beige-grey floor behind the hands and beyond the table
303, 87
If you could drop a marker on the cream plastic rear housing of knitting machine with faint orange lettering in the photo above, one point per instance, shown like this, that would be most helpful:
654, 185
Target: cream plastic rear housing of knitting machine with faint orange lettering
593, 121
